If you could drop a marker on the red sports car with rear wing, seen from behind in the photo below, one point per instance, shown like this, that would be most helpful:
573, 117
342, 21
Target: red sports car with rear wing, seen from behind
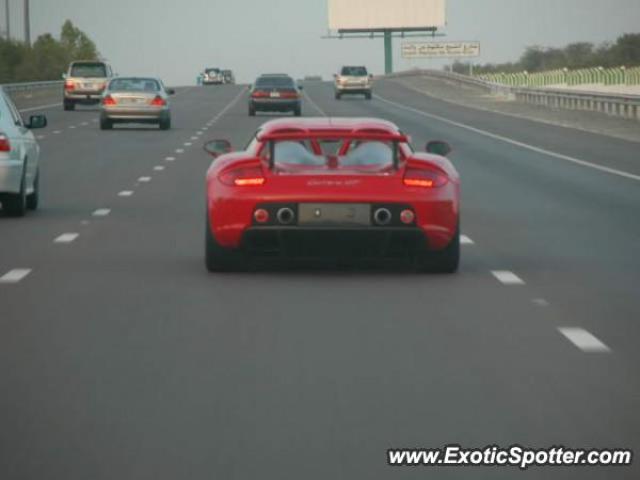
339, 188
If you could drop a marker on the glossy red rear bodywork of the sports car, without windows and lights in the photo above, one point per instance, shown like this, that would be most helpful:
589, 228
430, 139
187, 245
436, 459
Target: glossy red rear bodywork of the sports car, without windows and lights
231, 208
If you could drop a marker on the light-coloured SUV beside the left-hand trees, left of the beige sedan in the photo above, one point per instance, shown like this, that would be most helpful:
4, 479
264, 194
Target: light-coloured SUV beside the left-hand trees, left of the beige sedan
85, 82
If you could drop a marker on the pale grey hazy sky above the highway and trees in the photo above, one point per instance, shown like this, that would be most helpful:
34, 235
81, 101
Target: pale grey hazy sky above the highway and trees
176, 39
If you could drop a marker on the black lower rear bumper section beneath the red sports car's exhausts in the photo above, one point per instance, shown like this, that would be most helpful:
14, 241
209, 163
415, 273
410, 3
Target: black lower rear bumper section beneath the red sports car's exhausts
304, 243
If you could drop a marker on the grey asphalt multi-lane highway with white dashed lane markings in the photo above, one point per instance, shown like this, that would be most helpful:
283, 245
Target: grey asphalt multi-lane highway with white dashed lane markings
120, 357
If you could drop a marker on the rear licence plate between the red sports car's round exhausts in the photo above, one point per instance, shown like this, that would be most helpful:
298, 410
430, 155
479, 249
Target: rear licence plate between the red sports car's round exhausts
355, 214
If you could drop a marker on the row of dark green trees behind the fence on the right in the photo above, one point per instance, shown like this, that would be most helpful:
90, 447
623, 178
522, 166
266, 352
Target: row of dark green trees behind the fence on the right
576, 56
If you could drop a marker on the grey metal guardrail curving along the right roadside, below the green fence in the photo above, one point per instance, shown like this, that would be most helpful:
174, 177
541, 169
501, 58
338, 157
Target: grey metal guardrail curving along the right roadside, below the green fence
618, 105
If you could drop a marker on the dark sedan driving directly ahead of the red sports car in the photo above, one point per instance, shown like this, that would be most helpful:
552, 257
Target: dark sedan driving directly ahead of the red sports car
275, 93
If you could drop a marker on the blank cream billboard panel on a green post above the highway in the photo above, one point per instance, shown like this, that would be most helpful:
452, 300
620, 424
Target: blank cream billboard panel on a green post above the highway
367, 15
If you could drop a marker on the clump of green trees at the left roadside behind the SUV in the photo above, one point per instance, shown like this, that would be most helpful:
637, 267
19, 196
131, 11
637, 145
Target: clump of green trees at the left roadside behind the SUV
47, 59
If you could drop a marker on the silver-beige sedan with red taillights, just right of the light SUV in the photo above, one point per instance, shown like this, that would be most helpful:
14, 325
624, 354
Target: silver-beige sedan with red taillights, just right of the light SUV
136, 100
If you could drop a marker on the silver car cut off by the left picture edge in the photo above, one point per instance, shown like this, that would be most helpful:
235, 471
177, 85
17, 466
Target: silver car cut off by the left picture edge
19, 159
